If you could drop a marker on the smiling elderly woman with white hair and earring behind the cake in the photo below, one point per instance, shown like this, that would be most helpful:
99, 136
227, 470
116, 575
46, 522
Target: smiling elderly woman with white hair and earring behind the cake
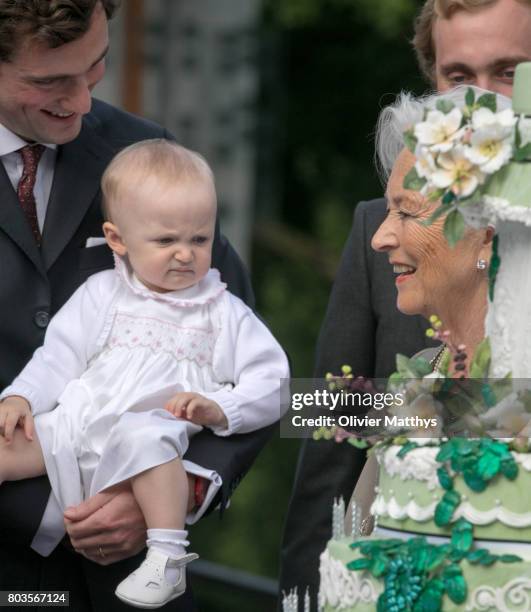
431, 276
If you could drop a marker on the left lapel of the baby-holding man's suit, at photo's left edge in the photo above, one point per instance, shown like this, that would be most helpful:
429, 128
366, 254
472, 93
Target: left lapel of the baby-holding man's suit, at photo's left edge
14, 223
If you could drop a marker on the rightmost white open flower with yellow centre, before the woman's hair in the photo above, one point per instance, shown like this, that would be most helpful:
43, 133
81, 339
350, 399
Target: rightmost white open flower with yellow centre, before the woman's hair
491, 140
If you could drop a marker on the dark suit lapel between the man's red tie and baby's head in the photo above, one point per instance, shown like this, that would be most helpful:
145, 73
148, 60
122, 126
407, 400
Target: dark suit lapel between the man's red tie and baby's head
78, 171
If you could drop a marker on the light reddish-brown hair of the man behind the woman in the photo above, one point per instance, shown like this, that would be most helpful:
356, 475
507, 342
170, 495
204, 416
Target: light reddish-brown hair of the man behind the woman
432, 10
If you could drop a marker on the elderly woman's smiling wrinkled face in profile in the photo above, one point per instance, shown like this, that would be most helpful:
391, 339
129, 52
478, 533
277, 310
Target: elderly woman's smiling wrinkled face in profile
429, 274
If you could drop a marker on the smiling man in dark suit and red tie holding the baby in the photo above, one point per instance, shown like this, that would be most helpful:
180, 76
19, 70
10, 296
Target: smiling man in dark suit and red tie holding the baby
51, 56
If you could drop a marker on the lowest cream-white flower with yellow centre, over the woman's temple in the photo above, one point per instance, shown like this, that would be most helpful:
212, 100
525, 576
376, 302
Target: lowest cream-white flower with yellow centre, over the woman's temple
457, 172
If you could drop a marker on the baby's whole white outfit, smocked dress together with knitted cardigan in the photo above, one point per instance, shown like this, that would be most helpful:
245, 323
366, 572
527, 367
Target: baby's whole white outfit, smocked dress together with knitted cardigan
136, 349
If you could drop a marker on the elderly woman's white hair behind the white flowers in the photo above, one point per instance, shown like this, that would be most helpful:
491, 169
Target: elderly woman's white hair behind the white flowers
402, 115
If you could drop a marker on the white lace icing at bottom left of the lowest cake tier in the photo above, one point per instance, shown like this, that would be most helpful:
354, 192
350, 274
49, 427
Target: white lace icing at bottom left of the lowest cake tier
342, 588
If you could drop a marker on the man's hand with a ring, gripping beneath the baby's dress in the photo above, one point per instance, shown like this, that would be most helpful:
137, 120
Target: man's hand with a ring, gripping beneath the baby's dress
110, 526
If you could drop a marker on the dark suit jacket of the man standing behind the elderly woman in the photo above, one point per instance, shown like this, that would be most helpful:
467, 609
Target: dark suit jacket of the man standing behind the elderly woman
364, 329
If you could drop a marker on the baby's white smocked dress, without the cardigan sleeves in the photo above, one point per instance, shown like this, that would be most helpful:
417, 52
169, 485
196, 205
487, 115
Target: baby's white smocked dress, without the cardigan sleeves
110, 423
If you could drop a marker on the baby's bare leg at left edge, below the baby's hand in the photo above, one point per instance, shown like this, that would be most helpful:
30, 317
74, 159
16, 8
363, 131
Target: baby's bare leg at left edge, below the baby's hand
20, 458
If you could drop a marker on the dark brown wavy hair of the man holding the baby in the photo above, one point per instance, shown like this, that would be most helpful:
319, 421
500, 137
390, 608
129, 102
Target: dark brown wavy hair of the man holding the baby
52, 22
